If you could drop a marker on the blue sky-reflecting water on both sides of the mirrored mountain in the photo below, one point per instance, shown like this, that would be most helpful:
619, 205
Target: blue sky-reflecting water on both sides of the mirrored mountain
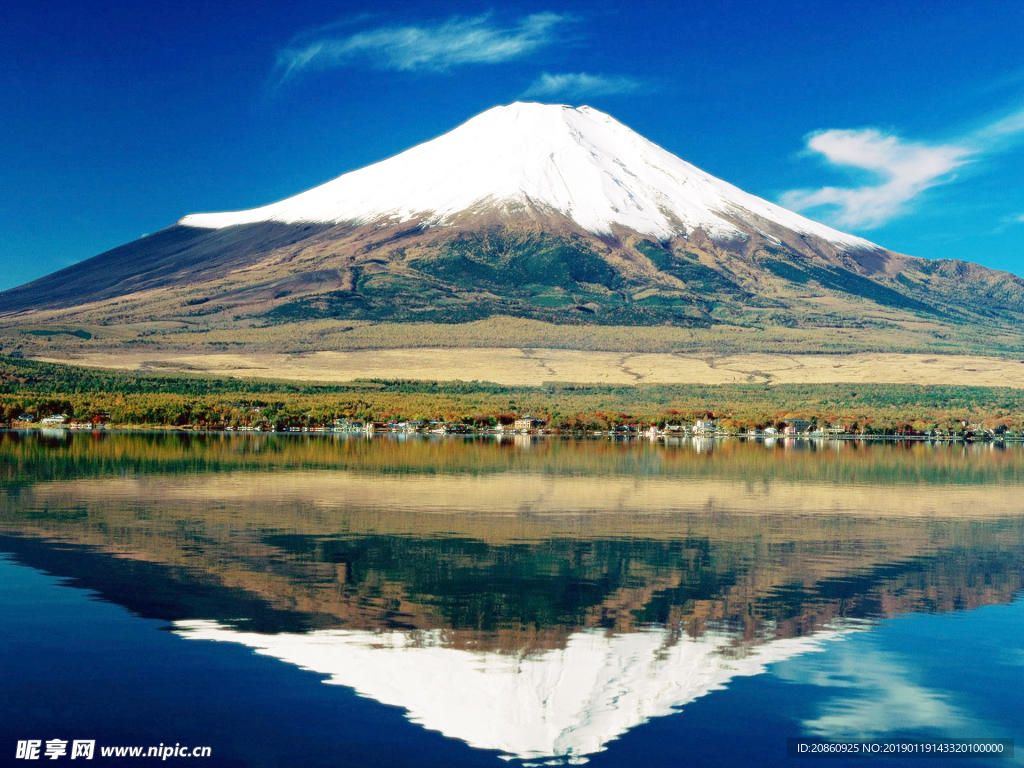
75, 667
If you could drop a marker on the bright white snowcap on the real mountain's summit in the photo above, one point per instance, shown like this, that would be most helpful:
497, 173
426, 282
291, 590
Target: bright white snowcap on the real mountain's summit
578, 162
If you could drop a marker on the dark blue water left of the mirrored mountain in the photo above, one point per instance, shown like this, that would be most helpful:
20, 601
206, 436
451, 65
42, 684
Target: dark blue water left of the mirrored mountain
76, 668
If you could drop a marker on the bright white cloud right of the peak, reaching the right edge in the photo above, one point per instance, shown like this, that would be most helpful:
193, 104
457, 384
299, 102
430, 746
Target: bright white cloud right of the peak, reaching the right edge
903, 170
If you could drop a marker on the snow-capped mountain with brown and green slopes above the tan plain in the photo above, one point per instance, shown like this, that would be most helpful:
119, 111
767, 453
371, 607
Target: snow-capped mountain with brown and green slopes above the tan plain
542, 212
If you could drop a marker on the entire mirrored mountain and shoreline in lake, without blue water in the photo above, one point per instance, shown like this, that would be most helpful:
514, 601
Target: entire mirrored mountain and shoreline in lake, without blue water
541, 603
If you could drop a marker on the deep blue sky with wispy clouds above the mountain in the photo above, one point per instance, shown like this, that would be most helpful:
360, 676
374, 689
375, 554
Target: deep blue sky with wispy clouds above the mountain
903, 122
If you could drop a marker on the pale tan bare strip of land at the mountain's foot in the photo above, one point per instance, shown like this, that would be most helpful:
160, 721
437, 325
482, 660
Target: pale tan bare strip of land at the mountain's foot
535, 367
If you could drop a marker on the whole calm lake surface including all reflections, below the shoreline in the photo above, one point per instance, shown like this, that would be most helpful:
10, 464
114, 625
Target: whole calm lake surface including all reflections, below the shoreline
323, 602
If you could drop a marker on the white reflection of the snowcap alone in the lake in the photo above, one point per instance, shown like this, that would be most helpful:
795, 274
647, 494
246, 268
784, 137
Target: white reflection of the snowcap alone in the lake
566, 703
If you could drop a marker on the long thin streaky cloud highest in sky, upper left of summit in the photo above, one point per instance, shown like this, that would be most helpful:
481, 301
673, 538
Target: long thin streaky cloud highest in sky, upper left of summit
436, 48
